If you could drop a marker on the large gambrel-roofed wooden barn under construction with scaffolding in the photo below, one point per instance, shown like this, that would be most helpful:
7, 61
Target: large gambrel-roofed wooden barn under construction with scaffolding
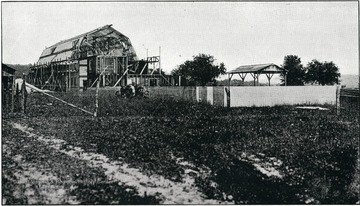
103, 55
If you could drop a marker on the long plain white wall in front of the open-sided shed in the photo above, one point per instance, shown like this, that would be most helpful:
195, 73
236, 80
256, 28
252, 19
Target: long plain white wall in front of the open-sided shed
280, 95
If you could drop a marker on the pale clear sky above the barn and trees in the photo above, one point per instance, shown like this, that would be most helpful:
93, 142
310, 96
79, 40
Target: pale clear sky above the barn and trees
235, 33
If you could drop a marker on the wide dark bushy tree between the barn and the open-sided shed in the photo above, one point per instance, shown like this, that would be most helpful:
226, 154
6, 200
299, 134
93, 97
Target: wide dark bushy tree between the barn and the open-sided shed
200, 71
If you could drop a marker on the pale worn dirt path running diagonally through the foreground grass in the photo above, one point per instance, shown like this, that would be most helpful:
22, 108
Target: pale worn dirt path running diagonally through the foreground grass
169, 192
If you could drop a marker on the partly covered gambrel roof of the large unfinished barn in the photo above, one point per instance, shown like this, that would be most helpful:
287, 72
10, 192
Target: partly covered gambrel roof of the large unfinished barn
64, 50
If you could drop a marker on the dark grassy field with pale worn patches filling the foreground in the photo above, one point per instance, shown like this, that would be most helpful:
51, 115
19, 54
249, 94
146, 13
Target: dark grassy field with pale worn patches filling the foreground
150, 151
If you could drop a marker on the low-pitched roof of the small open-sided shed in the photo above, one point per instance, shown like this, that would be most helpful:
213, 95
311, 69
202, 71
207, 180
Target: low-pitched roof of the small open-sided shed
258, 68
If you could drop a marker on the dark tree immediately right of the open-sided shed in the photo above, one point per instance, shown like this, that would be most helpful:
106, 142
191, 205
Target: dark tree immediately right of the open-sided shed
295, 71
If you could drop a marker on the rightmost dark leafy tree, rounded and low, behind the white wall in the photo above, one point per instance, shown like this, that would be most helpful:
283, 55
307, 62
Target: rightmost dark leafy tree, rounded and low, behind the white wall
326, 73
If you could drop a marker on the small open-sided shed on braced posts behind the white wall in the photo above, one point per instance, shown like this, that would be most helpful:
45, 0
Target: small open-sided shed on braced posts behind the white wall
255, 70
